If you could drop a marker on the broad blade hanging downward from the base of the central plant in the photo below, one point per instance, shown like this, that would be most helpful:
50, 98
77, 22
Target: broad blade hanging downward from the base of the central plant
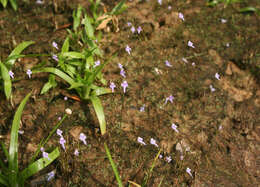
100, 113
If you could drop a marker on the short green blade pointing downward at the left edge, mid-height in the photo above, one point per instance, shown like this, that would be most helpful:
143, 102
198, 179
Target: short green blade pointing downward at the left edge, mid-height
7, 80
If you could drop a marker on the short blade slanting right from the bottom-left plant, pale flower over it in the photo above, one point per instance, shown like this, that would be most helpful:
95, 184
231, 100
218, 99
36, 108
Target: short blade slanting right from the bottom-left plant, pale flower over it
39, 165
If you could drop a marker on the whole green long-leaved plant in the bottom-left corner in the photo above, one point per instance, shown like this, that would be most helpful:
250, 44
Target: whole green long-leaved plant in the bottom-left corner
10, 175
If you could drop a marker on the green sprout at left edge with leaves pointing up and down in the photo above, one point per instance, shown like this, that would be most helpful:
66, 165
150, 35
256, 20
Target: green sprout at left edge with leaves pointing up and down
6, 66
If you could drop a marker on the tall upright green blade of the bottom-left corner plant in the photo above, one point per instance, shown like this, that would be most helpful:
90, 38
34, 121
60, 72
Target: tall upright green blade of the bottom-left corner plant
13, 149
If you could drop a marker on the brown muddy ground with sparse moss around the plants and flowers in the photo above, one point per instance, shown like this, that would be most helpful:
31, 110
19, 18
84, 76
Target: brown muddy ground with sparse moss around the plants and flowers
217, 120
